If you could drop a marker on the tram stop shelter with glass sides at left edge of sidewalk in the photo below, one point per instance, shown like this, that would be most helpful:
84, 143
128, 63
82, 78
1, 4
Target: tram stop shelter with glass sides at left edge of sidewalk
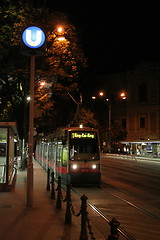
8, 140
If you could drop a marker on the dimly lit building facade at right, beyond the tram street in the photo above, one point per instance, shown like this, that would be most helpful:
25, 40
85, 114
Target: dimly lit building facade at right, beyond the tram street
139, 113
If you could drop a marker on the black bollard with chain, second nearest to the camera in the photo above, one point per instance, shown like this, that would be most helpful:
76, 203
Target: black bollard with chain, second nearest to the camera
83, 233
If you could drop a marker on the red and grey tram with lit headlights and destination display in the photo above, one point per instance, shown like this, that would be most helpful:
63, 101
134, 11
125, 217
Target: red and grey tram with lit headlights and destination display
72, 153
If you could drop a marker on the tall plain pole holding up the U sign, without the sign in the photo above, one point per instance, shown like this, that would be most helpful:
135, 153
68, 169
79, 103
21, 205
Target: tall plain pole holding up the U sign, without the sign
31, 123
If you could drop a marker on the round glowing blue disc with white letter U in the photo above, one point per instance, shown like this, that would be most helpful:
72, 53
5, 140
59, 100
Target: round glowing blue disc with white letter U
33, 37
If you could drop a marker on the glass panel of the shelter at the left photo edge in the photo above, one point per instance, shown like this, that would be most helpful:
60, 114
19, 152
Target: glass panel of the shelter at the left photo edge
3, 154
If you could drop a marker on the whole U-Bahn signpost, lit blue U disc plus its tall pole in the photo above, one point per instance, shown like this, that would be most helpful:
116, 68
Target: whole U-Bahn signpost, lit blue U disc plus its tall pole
34, 42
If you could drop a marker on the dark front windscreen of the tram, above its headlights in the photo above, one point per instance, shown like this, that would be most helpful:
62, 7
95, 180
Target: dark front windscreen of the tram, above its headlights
84, 148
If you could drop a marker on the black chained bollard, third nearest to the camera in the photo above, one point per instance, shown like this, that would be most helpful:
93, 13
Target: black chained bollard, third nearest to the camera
68, 215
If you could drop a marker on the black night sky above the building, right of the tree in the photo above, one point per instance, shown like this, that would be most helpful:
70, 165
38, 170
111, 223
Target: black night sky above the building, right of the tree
115, 37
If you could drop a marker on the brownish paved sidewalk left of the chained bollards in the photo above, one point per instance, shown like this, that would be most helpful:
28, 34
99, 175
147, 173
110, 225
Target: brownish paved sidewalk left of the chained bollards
42, 222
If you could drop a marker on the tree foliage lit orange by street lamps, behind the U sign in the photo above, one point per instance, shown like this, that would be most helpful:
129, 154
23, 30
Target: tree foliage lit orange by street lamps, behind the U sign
60, 67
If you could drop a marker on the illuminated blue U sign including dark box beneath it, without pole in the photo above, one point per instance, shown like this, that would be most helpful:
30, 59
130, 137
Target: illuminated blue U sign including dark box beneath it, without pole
33, 41
